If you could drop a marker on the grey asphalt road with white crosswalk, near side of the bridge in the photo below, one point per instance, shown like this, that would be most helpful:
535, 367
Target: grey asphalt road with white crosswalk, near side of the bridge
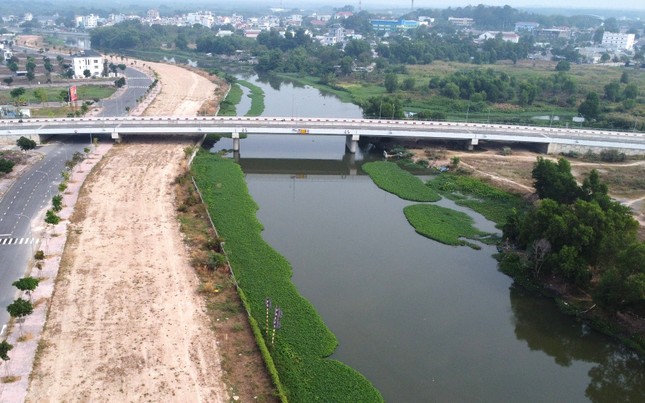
19, 225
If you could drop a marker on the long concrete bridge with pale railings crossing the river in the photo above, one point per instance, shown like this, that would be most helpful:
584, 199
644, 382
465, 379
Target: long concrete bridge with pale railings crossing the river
548, 140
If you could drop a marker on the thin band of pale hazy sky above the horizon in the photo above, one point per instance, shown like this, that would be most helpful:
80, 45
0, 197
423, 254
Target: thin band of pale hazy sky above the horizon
588, 4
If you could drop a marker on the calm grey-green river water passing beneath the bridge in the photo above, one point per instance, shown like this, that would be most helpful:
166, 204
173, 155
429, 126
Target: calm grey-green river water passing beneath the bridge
423, 321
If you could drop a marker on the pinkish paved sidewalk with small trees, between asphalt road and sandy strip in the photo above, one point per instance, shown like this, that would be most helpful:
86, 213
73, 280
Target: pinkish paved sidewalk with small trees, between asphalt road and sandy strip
52, 243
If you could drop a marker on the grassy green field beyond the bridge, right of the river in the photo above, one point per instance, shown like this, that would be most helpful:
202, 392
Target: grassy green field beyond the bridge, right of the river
586, 78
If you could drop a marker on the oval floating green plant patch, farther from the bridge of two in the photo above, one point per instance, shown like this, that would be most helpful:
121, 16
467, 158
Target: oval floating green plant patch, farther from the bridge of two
443, 224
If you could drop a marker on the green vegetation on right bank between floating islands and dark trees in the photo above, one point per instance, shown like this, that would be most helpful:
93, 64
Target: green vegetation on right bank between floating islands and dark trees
493, 203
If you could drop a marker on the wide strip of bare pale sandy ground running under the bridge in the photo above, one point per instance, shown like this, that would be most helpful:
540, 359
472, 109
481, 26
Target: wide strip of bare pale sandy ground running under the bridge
125, 323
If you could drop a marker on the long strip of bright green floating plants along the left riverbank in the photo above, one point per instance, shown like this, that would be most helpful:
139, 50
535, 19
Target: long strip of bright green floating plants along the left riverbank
303, 342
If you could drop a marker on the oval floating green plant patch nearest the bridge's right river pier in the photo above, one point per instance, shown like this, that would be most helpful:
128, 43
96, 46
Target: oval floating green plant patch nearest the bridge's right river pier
391, 178
